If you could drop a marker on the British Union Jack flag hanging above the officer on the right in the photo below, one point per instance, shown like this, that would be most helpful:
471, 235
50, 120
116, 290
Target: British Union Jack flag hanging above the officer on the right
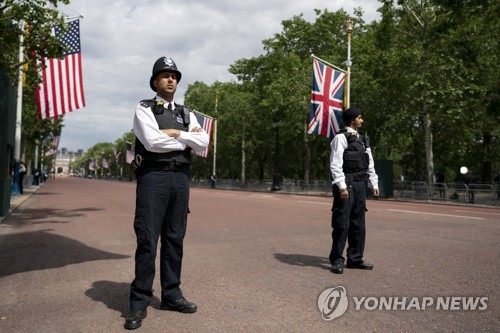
326, 100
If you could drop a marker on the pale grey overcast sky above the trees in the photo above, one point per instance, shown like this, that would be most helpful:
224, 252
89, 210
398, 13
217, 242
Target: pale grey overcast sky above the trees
121, 40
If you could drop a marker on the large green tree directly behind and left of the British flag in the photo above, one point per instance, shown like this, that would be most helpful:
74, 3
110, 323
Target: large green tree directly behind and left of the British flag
281, 79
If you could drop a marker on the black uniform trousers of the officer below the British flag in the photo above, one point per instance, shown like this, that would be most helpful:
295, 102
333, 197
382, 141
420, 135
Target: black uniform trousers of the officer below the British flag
348, 223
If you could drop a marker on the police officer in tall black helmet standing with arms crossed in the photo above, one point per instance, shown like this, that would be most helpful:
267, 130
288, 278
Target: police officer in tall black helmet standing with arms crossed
166, 132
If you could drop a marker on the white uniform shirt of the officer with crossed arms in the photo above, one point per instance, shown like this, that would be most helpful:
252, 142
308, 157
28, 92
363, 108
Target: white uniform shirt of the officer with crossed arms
148, 132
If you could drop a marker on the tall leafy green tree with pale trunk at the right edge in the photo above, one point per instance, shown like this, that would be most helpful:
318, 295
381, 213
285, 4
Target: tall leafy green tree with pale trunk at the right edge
428, 73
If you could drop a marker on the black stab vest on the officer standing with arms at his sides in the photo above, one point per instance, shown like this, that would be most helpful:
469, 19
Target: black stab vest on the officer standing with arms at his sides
356, 158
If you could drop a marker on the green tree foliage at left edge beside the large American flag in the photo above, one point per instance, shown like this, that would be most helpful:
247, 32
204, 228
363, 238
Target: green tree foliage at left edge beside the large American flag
34, 21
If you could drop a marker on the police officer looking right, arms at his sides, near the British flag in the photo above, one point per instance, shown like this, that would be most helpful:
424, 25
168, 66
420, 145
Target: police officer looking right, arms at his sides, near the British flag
351, 164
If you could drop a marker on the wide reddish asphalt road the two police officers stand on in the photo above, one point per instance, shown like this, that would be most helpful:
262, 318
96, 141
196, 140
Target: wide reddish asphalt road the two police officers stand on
254, 262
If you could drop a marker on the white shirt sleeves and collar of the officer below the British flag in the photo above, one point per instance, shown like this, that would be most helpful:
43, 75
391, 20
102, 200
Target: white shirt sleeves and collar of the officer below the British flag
338, 145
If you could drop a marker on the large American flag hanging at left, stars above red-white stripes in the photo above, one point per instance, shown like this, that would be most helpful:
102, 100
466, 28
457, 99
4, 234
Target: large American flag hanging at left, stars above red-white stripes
61, 90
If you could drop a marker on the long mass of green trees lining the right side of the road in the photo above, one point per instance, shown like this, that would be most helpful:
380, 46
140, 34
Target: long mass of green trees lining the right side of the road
425, 77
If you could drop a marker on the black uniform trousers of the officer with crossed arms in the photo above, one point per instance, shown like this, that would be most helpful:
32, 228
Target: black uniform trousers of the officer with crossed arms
162, 199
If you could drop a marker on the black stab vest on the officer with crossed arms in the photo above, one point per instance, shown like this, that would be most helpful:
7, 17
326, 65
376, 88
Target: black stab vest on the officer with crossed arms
178, 118
